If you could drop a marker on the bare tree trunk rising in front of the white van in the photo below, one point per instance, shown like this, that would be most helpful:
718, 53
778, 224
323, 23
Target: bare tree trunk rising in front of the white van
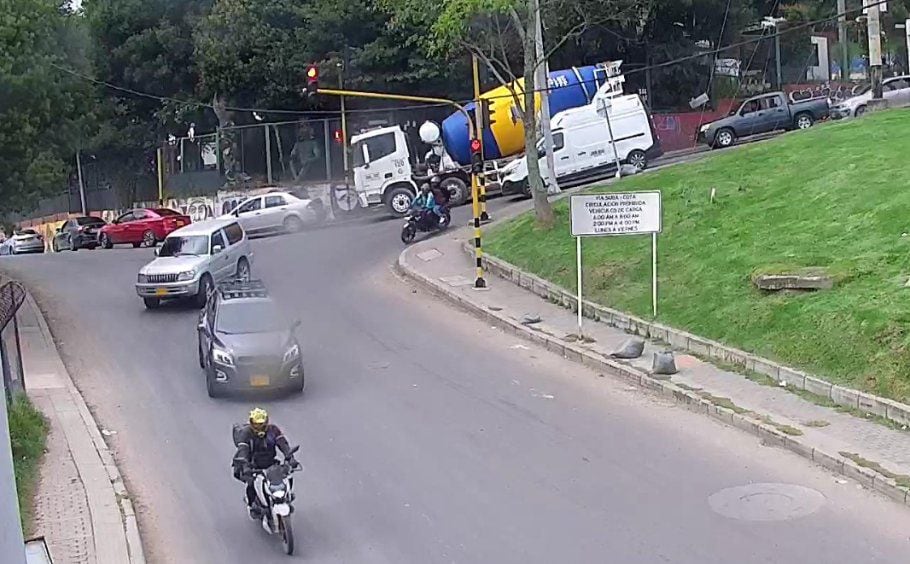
542, 207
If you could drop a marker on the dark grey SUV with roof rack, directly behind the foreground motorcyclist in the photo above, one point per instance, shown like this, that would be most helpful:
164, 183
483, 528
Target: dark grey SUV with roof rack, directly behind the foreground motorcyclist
245, 343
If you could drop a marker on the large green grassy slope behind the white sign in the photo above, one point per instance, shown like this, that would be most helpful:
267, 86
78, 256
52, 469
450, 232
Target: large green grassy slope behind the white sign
836, 196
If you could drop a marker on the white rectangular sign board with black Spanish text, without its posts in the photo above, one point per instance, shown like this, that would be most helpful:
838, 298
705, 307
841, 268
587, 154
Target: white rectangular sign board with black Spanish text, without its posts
620, 213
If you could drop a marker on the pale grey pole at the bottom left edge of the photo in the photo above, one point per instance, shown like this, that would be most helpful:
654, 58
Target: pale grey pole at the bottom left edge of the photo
12, 545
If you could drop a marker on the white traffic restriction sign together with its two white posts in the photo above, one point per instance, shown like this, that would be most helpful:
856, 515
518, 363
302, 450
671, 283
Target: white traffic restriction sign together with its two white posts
618, 213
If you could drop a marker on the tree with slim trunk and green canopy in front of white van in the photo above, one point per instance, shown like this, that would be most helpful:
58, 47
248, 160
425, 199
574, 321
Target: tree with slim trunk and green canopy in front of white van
501, 33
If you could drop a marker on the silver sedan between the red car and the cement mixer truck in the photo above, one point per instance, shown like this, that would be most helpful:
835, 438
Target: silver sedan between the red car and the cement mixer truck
278, 211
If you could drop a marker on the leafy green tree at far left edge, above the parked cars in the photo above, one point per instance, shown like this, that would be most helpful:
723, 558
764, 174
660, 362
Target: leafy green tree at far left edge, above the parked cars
40, 106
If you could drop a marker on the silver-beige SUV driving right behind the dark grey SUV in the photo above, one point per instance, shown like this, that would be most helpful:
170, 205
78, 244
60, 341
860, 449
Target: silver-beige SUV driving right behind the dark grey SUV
193, 259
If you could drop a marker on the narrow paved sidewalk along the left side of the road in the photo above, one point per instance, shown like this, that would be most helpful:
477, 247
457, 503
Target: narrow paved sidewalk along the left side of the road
81, 507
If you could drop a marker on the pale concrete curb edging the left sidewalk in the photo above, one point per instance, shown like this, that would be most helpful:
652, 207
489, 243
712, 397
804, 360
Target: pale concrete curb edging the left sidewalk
127, 511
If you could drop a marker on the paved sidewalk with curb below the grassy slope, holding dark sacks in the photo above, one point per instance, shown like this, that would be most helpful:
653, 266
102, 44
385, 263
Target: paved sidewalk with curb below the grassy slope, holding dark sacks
875, 454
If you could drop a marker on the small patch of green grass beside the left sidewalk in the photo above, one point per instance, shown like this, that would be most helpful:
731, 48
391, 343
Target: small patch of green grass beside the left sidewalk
28, 435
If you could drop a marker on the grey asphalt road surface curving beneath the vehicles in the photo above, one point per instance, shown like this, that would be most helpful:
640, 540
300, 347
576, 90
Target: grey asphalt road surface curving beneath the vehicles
427, 436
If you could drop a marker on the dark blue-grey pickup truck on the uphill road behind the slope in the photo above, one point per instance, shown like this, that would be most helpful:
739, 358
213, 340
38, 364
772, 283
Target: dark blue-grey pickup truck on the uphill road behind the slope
763, 114
